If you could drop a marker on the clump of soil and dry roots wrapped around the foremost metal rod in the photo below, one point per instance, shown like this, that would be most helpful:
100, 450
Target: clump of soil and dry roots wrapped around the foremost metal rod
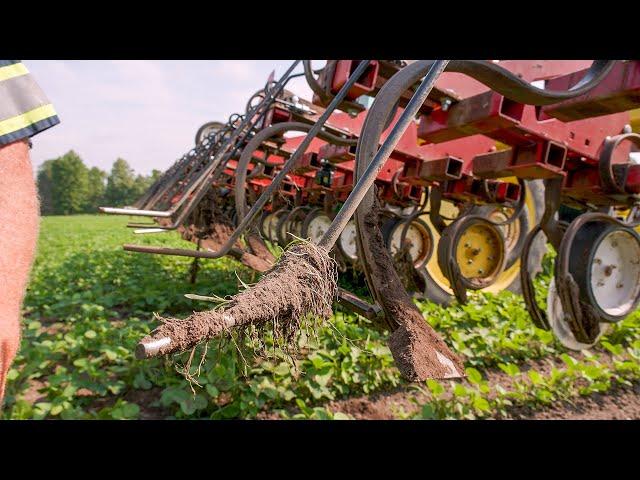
302, 283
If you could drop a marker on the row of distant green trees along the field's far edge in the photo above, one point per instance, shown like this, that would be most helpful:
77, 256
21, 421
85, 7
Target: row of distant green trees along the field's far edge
67, 186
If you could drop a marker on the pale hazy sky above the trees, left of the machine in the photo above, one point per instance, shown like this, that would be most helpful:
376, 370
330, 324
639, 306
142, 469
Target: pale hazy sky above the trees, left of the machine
145, 111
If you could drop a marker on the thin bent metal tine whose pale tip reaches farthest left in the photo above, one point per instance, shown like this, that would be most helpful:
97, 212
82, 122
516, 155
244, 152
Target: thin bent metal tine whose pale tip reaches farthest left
201, 183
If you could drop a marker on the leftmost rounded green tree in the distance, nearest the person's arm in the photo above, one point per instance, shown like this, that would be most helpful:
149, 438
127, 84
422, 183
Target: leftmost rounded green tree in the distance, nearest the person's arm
69, 184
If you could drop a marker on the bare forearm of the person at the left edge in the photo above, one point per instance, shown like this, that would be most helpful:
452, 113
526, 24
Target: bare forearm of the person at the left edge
19, 218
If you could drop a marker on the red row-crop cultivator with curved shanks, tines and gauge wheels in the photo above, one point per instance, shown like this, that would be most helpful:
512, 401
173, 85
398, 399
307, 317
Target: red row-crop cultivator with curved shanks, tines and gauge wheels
426, 179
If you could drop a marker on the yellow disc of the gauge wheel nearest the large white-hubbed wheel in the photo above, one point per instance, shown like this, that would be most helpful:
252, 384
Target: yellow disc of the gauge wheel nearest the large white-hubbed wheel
480, 253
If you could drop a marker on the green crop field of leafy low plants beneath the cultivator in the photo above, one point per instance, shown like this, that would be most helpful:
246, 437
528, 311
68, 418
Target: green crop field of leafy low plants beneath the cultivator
89, 302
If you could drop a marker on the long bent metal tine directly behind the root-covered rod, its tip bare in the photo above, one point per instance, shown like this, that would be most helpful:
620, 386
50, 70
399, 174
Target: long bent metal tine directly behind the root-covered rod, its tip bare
270, 190
